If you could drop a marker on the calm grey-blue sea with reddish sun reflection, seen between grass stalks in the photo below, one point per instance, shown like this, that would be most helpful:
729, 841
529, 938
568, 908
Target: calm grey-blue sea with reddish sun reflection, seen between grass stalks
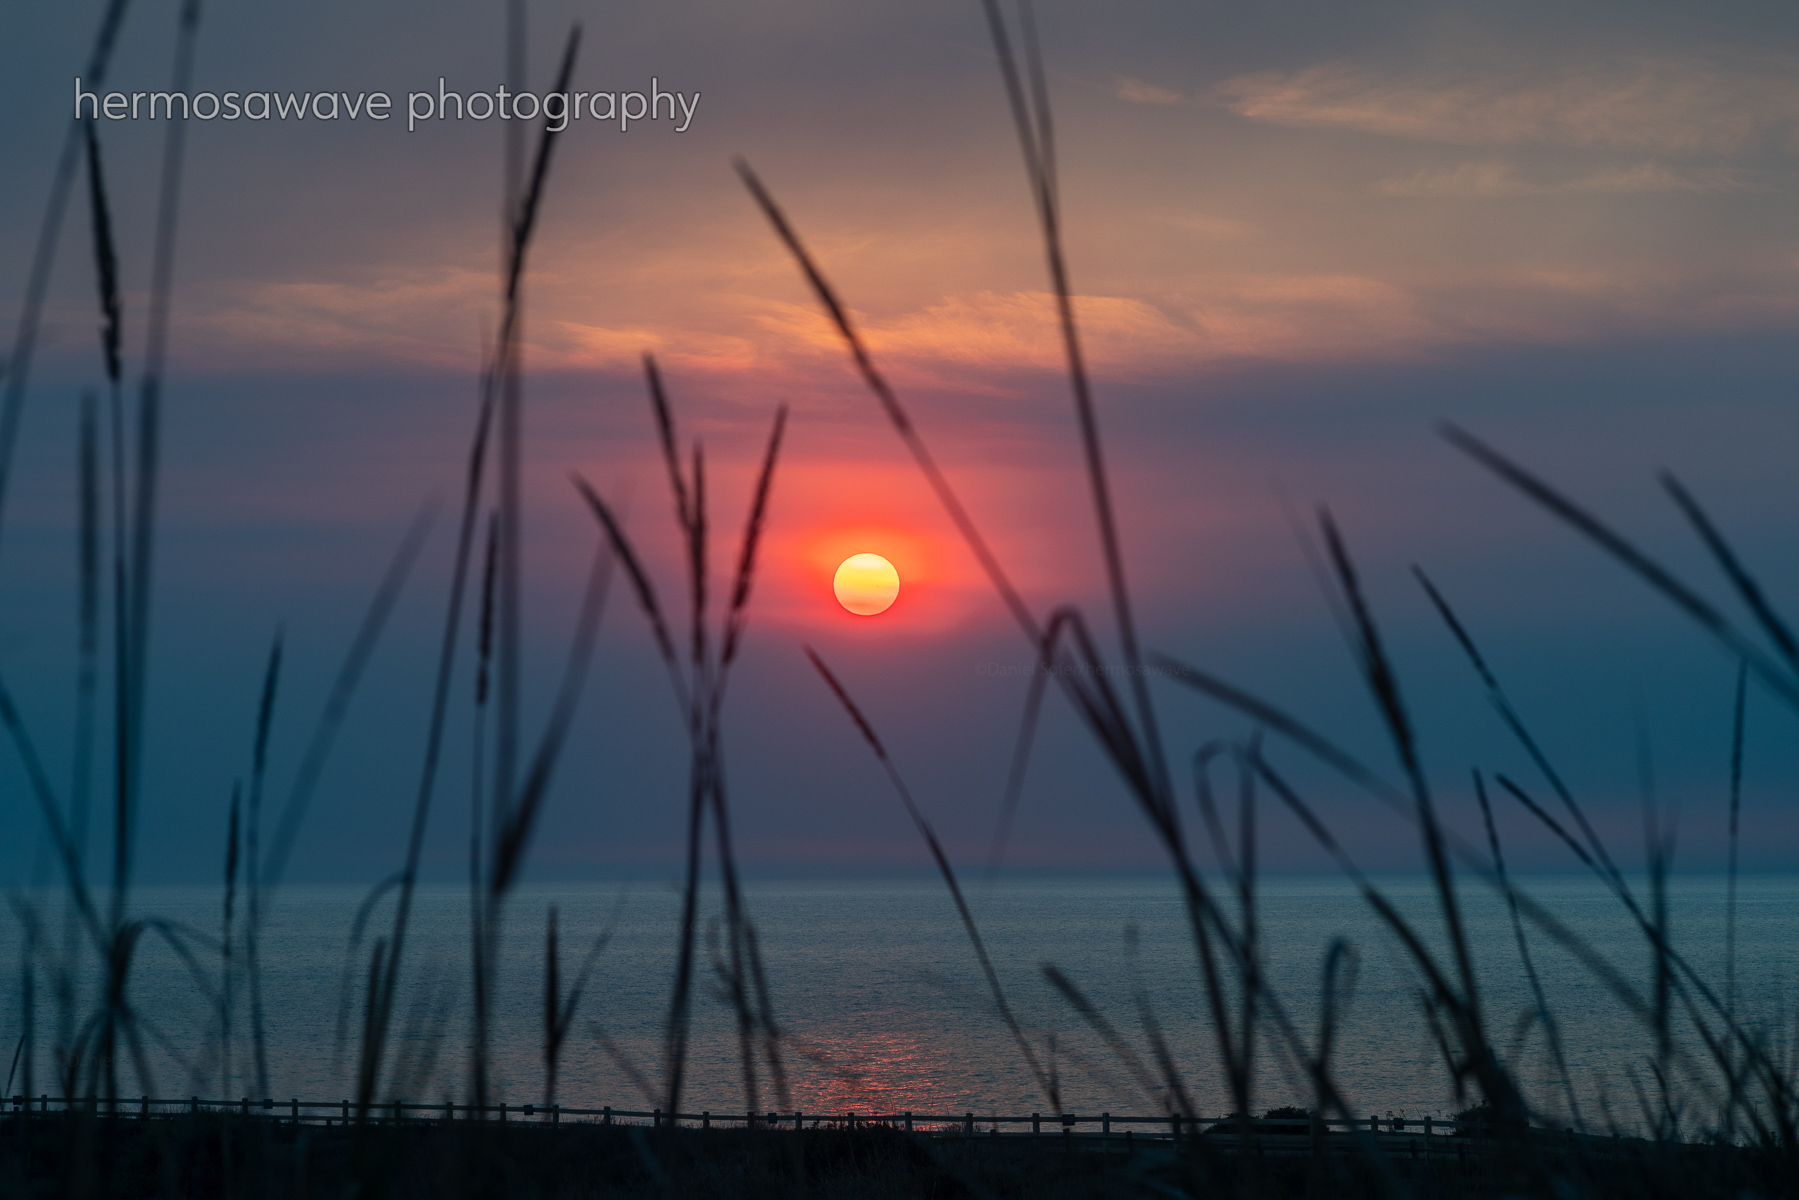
886, 1010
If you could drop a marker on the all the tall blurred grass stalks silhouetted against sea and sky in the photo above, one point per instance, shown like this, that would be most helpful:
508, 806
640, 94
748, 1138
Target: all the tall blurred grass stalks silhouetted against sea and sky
1735, 1071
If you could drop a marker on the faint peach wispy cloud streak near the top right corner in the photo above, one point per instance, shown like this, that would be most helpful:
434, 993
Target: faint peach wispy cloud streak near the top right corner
1645, 103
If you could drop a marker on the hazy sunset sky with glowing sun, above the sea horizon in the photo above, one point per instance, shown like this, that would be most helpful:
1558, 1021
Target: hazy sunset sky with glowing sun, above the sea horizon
1300, 235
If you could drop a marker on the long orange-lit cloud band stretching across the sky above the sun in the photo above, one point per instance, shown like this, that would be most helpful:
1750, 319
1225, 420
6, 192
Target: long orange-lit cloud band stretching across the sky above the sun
1293, 318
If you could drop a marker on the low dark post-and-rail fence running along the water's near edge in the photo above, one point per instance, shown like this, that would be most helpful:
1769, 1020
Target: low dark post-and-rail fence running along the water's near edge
1275, 1133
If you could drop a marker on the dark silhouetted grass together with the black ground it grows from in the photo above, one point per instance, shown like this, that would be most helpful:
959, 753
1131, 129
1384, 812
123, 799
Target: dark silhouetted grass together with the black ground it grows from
1715, 1115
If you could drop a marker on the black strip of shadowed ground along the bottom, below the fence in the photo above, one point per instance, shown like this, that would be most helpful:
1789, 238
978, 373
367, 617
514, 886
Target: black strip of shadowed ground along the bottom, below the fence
219, 1156
